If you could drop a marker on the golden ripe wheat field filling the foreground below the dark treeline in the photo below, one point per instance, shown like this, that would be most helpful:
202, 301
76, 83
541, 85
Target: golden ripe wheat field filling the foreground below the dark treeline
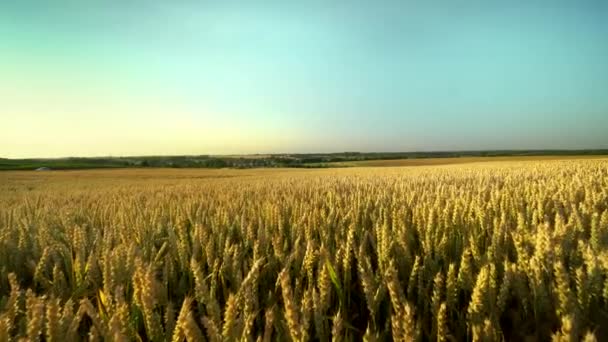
485, 252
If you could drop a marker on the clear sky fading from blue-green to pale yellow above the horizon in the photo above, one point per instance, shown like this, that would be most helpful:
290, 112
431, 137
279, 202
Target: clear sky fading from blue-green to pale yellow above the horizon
132, 77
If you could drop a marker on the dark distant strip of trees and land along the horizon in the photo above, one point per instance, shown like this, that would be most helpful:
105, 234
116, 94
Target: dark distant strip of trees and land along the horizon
258, 161
